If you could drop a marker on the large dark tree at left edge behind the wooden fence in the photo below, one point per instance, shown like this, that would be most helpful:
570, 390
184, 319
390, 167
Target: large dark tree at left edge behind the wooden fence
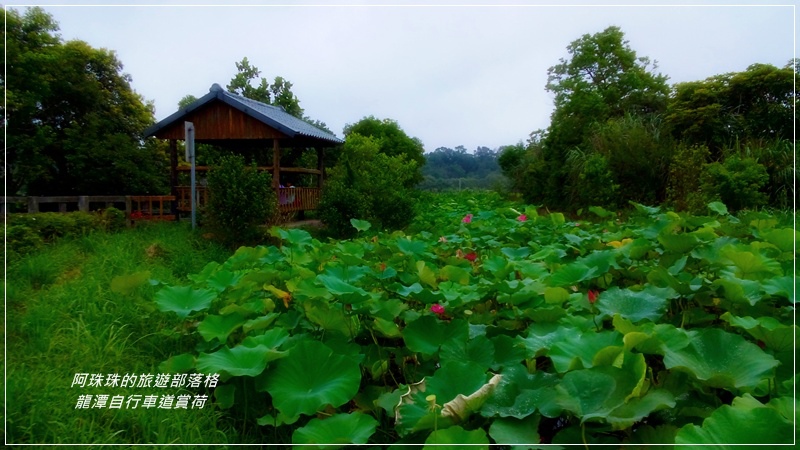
74, 125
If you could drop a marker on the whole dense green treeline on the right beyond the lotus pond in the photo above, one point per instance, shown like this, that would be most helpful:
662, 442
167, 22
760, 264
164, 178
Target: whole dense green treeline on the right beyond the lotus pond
619, 133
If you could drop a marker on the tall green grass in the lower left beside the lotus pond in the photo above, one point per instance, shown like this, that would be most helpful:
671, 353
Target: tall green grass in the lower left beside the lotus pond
63, 318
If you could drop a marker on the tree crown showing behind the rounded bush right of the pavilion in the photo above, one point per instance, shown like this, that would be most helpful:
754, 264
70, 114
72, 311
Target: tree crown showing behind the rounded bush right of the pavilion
391, 141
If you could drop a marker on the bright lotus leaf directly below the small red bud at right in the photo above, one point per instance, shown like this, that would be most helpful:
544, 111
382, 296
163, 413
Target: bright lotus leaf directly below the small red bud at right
578, 350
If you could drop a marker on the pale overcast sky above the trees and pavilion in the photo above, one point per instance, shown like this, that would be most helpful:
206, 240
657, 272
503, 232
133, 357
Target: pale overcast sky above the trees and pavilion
449, 75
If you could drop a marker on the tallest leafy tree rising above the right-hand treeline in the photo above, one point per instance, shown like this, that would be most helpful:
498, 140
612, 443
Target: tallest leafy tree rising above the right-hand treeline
603, 79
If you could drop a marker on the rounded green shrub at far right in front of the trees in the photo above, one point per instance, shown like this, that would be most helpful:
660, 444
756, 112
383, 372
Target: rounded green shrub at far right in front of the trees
738, 182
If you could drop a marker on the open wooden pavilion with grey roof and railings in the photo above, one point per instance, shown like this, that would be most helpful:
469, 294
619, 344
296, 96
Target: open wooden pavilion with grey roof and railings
246, 126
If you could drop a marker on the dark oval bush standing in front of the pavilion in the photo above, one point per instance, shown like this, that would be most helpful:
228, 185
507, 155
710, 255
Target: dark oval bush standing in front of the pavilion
240, 200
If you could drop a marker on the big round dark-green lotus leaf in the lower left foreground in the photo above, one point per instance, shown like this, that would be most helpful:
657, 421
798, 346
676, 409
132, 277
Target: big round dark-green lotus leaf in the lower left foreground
311, 377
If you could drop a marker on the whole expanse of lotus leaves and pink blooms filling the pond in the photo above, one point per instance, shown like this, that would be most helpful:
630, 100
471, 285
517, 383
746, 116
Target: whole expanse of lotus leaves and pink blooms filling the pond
498, 325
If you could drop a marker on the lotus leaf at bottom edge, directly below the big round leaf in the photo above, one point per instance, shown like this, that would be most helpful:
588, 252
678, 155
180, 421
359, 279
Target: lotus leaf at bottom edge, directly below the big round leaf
339, 430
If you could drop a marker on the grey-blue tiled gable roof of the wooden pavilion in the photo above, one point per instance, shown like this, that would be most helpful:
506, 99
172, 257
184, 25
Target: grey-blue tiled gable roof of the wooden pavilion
273, 116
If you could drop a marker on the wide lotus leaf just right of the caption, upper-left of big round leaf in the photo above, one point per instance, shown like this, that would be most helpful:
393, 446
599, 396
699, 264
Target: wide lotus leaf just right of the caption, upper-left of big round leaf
238, 361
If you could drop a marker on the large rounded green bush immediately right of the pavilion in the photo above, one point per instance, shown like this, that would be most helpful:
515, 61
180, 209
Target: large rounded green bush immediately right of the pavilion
367, 184
